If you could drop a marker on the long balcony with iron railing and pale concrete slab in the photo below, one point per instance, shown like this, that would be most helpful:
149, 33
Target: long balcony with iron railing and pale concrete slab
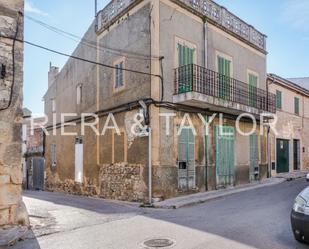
204, 88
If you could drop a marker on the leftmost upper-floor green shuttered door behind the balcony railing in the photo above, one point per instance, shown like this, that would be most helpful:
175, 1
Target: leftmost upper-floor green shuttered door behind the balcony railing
185, 58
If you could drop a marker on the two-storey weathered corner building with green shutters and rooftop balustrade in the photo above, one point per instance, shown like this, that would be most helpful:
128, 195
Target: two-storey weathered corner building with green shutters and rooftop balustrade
180, 57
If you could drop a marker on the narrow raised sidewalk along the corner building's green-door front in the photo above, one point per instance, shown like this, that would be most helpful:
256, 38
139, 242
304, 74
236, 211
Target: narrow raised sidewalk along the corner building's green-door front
192, 199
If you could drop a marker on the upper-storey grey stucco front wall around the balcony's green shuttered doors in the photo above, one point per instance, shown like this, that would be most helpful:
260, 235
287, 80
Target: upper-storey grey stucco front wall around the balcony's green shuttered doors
176, 22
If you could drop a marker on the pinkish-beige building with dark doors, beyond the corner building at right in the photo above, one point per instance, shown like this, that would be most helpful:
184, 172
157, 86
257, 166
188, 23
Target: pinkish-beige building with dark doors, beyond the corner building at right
290, 146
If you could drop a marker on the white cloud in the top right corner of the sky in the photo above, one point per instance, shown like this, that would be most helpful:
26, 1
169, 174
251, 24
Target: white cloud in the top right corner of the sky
296, 14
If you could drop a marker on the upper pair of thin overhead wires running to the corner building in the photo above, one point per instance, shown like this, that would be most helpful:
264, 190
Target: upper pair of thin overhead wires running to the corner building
90, 43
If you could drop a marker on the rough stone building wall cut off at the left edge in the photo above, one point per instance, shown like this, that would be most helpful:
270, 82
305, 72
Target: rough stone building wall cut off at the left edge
12, 209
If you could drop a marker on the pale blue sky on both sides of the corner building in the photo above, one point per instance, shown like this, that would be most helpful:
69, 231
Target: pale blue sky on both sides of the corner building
285, 22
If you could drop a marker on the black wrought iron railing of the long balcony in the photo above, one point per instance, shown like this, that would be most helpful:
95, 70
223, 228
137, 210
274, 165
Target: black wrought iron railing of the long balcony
194, 78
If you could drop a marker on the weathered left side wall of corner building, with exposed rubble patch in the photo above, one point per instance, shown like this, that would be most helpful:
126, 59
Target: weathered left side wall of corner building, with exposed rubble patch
114, 166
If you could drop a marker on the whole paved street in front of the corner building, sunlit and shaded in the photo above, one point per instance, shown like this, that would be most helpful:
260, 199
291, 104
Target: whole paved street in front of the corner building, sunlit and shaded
253, 219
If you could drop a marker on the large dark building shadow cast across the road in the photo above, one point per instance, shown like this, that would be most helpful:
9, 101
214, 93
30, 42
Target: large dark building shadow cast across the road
258, 218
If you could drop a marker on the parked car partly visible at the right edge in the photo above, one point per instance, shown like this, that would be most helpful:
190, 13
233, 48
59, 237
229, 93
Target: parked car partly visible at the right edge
300, 216
